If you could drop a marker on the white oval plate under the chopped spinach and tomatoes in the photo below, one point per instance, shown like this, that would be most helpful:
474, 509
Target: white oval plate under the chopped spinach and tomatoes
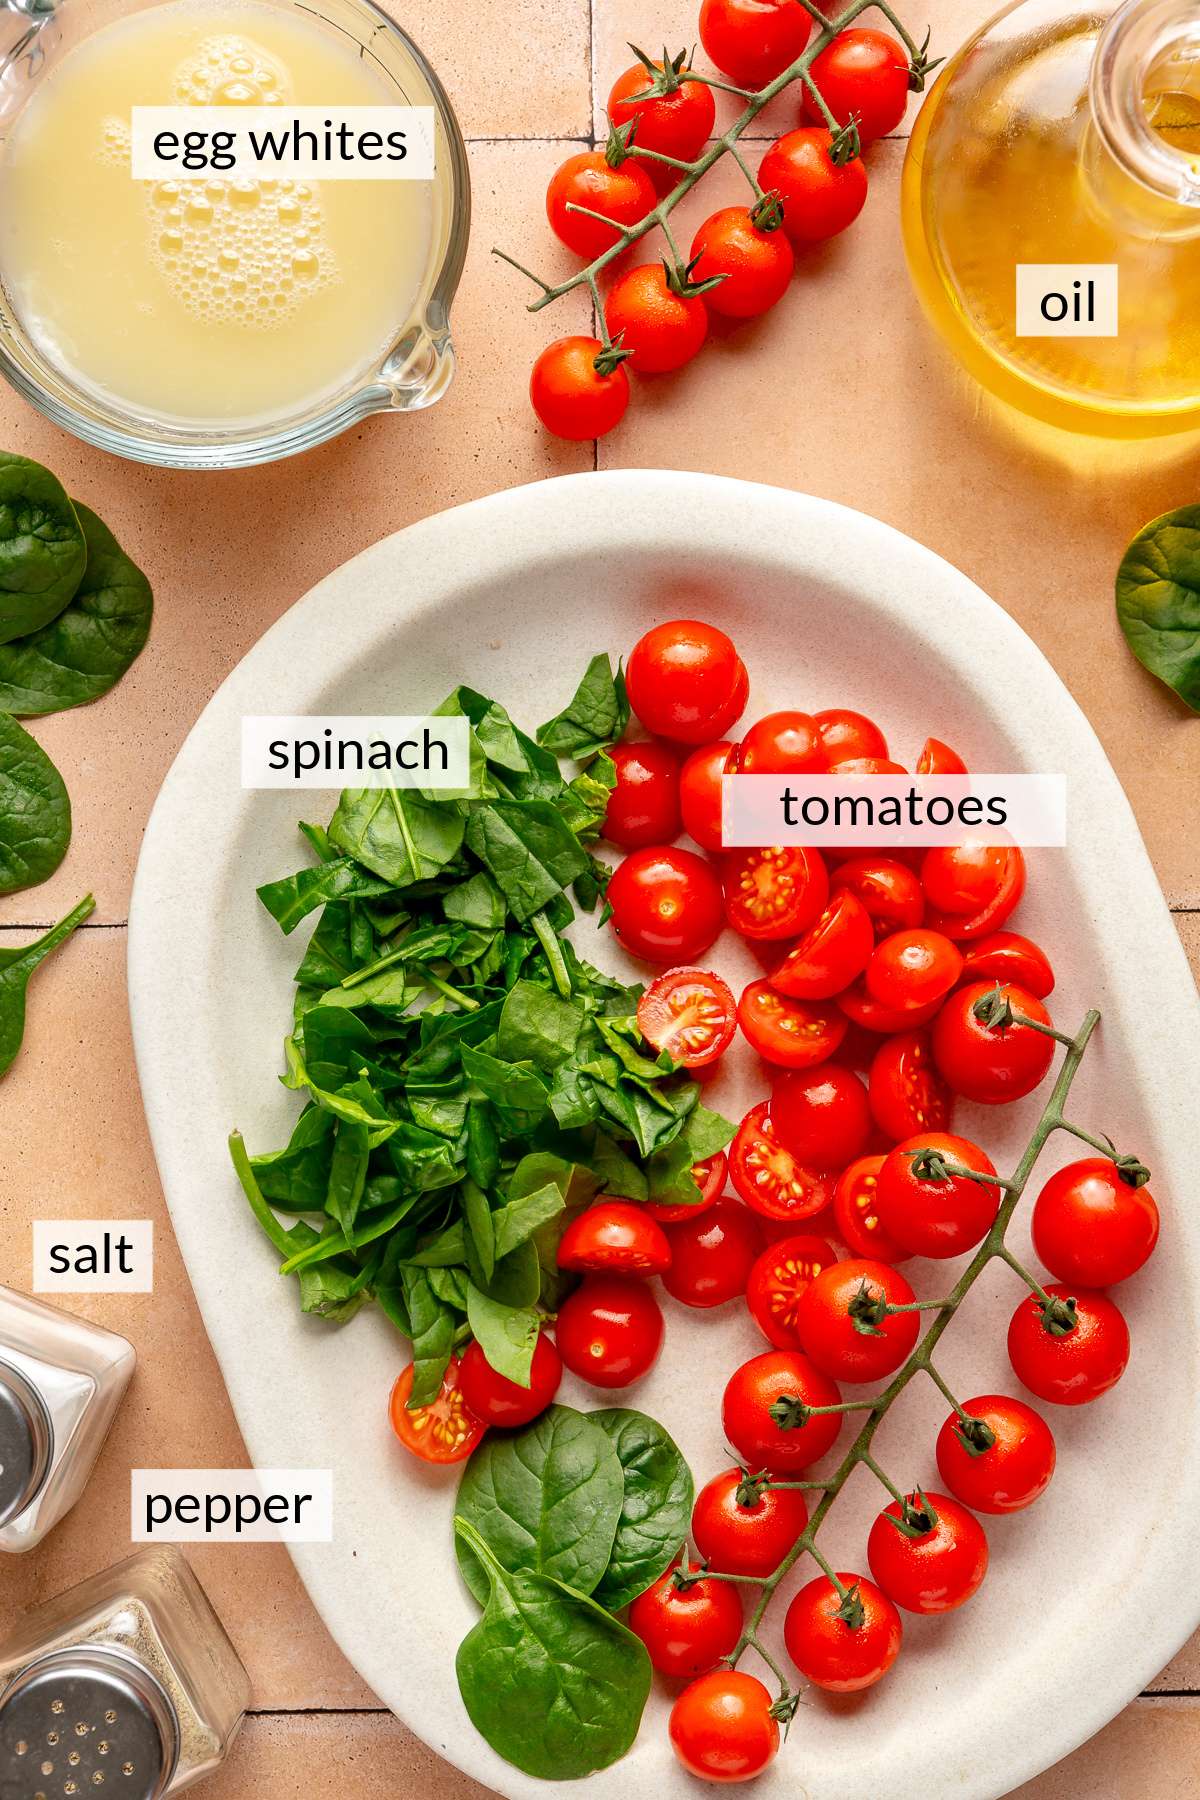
1091, 1592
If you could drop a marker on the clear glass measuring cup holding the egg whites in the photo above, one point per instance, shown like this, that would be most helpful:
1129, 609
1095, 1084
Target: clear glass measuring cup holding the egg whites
411, 361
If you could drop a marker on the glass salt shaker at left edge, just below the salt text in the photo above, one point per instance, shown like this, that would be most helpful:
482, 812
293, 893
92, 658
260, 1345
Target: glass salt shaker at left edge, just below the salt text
60, 1387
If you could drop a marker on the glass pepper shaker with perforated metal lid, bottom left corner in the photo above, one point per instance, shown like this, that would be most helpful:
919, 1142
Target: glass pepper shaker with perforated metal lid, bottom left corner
123, 1689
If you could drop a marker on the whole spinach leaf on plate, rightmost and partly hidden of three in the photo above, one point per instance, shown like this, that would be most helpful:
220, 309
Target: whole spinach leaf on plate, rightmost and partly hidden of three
656, 1511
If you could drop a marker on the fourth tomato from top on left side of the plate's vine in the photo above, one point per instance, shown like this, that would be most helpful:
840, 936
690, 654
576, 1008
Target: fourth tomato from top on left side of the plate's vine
764, 1412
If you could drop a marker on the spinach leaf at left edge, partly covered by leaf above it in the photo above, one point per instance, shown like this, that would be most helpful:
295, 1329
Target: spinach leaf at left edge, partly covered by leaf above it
87, 649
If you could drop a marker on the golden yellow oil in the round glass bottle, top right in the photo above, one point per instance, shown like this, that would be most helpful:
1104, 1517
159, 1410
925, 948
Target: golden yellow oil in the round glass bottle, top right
1007, 166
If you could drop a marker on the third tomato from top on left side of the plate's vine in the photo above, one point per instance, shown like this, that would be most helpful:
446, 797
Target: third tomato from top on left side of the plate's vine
845, 1299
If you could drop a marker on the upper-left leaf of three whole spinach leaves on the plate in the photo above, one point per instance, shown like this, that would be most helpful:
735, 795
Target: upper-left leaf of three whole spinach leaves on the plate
544, 1500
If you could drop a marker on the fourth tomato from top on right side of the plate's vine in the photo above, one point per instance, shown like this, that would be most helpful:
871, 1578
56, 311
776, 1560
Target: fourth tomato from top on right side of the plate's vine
936, 1569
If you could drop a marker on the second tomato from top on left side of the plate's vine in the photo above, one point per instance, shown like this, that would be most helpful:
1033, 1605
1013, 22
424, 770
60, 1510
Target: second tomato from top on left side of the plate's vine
938, 1218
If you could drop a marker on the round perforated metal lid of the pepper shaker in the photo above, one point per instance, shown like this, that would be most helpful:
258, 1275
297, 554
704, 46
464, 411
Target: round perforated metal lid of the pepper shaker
87, 1723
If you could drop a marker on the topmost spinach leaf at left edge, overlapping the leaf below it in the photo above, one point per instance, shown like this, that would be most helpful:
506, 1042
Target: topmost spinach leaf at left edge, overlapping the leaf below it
42, 550
